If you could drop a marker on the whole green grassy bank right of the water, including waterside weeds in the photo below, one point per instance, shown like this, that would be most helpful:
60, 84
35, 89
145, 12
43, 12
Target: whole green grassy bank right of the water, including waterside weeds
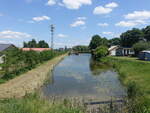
135, 75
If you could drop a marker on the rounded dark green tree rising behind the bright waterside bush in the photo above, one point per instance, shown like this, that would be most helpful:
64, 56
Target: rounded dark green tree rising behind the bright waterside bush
97, 41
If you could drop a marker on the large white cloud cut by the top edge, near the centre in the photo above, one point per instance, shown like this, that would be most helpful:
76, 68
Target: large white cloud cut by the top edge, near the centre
76, 4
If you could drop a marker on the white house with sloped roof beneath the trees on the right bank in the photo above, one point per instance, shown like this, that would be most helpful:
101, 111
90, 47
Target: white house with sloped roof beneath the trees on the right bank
120, 51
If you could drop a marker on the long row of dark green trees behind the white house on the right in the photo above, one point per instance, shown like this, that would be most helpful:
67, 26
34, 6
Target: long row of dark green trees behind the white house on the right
138, 39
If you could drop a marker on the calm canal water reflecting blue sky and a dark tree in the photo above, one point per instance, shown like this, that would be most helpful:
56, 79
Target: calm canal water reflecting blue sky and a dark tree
79, 76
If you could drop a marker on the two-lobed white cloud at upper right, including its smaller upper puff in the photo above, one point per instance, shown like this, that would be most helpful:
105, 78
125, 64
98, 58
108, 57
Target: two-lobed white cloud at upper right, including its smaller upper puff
108, 8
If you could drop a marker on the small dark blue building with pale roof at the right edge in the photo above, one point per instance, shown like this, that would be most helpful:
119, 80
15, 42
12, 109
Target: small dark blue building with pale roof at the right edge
144, 55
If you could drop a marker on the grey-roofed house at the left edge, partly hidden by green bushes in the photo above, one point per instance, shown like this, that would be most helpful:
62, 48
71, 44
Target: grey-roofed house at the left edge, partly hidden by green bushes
4, 47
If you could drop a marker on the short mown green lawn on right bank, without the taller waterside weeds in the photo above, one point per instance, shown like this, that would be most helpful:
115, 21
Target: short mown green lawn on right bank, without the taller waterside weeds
132, 70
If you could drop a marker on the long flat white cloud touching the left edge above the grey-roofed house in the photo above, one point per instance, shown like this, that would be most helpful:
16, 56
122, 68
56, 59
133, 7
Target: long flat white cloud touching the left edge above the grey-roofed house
8, 34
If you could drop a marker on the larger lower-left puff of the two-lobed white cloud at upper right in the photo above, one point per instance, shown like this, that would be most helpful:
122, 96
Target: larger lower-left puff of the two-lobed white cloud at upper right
102, 10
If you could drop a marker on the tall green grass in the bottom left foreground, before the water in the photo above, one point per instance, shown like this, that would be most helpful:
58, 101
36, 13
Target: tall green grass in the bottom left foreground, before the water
34, 104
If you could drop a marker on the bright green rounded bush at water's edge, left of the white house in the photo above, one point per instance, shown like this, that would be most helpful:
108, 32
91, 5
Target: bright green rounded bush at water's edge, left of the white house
100, 52
